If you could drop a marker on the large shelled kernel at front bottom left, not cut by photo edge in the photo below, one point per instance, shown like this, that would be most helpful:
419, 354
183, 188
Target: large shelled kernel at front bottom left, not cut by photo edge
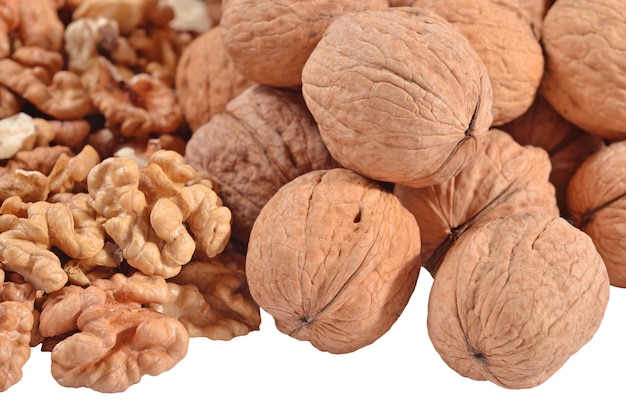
117, 341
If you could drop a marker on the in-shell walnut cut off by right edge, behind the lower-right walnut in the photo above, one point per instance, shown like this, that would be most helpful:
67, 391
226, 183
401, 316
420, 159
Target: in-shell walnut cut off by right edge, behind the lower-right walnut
596, 199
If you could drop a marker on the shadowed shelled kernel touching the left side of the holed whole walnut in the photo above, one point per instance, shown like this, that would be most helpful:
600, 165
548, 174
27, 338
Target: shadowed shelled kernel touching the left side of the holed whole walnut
211, 299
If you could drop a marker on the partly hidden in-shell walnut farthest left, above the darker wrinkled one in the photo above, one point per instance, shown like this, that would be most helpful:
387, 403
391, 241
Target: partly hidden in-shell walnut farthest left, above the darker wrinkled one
206, 79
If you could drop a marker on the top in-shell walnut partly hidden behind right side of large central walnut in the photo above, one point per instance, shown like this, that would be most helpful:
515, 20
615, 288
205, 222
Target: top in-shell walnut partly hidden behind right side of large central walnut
506, 44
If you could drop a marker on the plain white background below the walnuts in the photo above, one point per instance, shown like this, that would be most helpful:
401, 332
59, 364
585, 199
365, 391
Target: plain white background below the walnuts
268, 373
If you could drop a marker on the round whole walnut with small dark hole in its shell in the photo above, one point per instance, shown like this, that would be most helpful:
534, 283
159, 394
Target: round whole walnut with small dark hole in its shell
334, 259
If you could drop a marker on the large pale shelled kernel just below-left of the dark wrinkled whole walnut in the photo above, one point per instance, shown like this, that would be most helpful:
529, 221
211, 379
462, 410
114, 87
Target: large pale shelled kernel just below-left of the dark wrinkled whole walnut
159, 214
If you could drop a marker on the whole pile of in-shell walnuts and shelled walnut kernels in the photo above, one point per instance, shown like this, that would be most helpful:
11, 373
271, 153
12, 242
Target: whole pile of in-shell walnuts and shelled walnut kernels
169, 168
